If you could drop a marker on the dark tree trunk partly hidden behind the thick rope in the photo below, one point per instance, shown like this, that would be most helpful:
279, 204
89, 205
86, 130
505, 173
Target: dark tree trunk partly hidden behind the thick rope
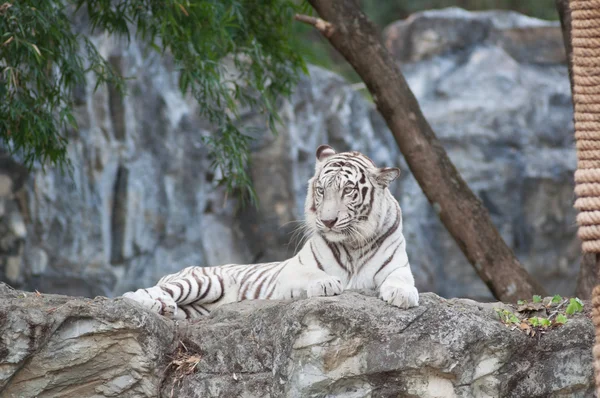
590, 262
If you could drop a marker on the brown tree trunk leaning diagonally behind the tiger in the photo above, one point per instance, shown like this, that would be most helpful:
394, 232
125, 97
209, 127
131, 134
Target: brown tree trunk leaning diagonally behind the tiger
463, 214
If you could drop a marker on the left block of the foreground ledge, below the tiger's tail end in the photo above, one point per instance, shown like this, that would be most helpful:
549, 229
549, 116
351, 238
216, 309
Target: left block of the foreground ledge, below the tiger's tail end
59, 346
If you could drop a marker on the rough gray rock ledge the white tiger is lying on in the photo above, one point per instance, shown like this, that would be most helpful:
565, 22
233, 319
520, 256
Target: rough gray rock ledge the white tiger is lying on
352, 345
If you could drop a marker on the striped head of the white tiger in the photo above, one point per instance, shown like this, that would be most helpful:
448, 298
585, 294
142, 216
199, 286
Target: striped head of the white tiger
345, 195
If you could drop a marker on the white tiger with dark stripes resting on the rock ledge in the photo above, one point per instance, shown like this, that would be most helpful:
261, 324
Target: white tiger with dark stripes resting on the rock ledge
356, 242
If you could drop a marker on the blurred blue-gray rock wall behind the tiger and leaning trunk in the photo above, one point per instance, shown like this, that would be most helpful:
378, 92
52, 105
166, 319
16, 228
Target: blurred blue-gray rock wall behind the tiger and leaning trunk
141, 200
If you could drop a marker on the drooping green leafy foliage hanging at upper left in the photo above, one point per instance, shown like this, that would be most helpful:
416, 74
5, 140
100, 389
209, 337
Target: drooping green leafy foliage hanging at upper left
42, 60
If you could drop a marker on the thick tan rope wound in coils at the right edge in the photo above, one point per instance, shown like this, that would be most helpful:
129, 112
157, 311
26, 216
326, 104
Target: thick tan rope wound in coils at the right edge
585, 38
